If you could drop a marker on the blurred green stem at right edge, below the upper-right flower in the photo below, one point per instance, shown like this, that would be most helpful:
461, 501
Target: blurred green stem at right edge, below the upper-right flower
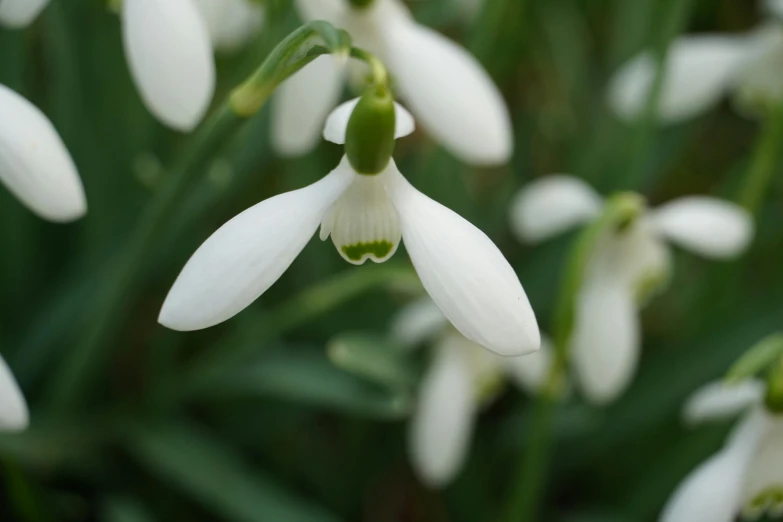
766, 158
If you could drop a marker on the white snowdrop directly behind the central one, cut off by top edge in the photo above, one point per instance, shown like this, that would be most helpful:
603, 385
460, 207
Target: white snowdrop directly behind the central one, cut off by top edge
445, 86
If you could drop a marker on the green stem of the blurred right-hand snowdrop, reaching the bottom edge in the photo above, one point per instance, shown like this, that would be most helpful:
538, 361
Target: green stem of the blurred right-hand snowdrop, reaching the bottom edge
528, 487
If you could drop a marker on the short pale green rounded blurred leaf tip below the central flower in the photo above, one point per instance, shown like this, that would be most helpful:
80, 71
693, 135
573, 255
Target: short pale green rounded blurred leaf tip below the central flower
373, 357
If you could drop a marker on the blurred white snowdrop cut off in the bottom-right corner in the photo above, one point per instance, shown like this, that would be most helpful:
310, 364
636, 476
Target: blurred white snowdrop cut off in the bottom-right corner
746, 476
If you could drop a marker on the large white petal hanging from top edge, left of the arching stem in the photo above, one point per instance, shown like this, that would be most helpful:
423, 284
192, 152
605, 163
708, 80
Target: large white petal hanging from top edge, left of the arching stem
169, 53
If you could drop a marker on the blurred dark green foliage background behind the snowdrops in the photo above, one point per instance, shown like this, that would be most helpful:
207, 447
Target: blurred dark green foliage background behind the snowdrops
288, 435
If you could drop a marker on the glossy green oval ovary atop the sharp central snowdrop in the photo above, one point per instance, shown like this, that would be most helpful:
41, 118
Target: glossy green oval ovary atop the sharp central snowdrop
369, 139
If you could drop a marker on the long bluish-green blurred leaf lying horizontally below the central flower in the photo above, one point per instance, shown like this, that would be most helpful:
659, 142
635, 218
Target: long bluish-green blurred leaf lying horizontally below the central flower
309, 378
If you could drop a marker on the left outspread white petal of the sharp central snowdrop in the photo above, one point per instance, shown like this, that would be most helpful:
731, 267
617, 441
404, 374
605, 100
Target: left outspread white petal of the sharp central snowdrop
248, 254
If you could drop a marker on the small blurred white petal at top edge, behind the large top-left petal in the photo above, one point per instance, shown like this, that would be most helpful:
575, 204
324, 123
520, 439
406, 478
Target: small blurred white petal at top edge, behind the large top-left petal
231, 23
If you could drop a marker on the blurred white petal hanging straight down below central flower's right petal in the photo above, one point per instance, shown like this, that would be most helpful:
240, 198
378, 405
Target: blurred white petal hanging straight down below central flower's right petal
442, 425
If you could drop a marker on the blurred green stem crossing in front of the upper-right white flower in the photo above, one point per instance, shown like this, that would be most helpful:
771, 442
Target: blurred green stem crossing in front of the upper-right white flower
674, 15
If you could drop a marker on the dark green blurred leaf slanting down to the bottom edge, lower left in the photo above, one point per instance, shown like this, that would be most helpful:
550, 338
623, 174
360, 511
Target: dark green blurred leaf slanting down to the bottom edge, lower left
216, 477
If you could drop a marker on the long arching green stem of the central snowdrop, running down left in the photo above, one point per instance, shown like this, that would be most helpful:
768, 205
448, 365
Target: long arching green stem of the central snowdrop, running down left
115, 295
